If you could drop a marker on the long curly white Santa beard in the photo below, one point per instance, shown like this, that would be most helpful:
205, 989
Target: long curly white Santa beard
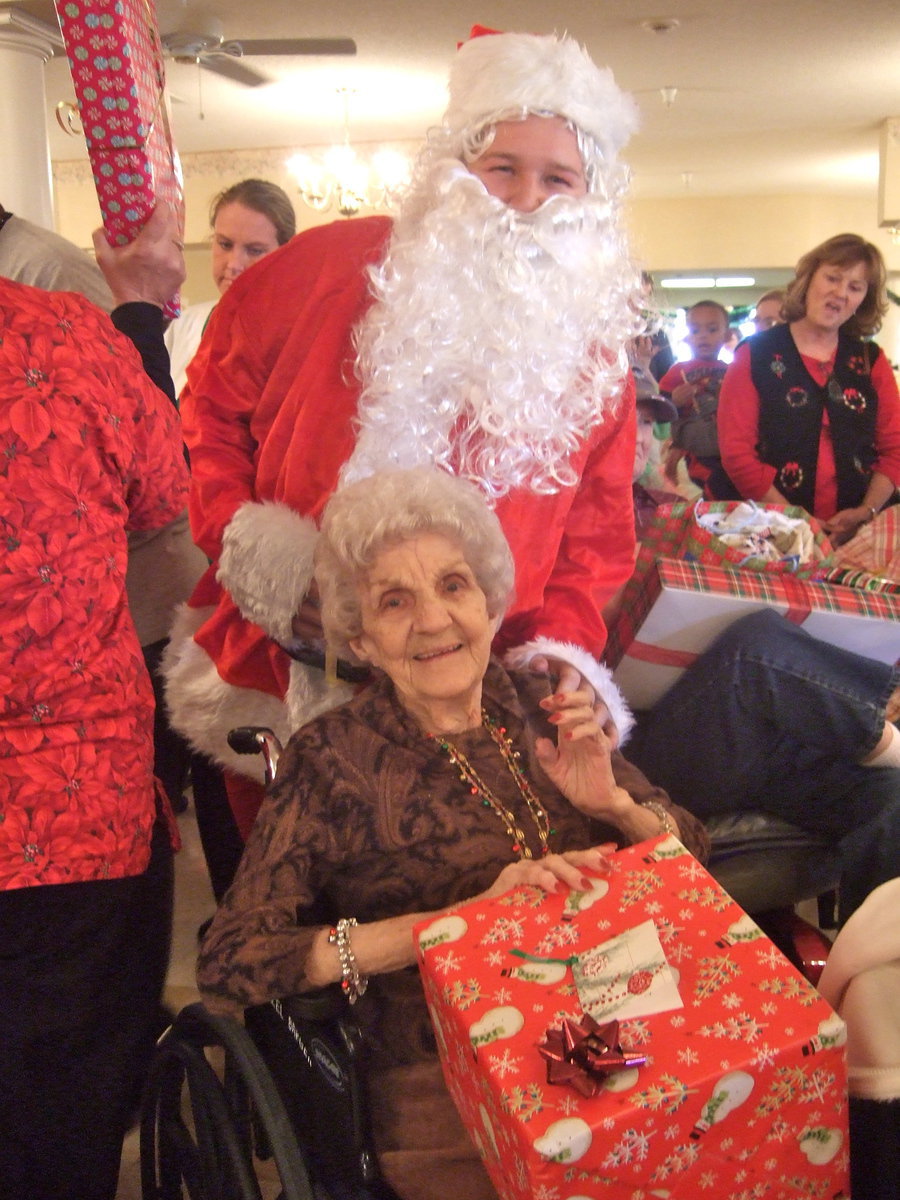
495, 343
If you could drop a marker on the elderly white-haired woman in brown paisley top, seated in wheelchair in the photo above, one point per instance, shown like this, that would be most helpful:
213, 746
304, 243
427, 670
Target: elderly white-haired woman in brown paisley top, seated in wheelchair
445, 781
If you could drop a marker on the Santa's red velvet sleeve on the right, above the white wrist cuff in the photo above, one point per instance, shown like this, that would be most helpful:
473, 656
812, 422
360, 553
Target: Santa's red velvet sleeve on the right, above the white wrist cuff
597, 553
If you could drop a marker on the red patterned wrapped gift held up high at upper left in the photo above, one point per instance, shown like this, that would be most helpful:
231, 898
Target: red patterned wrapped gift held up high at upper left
118, 70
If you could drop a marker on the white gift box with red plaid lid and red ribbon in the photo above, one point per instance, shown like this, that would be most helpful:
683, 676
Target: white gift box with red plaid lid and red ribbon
671, 611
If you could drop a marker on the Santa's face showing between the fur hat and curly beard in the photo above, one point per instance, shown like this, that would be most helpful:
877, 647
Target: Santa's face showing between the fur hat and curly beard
530, 161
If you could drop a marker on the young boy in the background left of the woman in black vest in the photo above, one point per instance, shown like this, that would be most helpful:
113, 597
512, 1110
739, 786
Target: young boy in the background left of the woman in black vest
694, 389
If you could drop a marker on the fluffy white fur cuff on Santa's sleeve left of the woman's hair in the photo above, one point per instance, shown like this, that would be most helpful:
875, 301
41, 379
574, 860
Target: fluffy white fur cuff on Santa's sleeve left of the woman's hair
267, 565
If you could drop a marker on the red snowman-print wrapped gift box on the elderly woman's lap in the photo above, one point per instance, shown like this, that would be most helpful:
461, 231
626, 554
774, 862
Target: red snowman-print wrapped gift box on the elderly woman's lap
743, 1091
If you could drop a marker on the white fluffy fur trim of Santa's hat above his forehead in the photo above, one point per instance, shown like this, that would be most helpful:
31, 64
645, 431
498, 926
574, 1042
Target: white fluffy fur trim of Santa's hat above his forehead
502, 73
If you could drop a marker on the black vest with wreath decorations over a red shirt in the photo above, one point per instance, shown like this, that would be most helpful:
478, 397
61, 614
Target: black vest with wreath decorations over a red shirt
791, 410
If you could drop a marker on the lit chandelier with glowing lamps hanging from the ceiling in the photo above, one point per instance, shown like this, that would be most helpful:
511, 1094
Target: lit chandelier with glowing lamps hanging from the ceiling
345, 179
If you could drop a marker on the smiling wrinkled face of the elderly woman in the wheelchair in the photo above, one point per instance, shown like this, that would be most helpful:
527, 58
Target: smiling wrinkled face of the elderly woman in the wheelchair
425, 625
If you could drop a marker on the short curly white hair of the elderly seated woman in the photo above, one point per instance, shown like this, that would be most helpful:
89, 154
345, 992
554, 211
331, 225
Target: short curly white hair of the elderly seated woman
393, 507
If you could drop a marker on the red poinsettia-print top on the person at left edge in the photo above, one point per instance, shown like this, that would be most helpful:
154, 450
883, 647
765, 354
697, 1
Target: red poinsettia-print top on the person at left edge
89, 449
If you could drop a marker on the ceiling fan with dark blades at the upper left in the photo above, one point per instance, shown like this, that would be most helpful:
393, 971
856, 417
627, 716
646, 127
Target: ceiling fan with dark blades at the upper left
206, 47
